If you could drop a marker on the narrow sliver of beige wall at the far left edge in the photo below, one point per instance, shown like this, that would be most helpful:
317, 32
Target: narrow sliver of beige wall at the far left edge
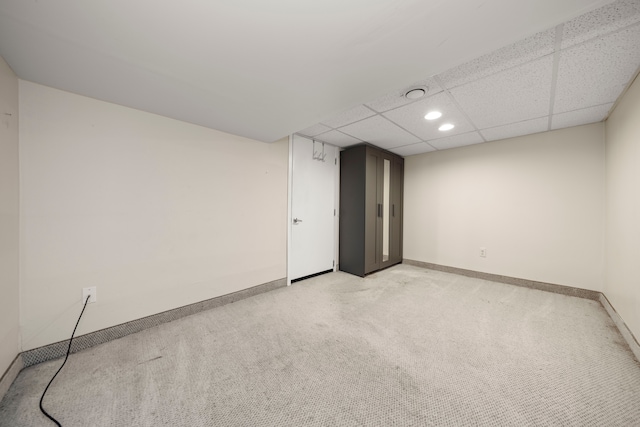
9, 215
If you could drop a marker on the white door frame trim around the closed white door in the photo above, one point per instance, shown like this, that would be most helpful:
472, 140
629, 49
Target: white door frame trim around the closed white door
336, 203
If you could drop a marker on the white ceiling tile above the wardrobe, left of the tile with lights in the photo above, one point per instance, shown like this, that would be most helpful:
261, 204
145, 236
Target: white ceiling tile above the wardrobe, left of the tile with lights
380, 132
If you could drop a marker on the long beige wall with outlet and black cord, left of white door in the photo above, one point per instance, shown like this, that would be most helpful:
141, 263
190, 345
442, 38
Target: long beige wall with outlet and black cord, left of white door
155, 212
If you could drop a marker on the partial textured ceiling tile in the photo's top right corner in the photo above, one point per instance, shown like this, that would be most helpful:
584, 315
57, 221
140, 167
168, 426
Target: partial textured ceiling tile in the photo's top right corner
599, 22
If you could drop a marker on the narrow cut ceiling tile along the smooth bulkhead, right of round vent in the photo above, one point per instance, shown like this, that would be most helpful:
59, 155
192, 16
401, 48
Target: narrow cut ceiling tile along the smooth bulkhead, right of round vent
531, 48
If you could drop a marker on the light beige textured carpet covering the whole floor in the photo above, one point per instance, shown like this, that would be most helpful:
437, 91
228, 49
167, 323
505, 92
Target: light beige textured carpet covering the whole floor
402, 347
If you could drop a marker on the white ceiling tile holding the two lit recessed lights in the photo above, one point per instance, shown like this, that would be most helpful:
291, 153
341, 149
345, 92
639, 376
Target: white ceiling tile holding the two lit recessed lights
411, 117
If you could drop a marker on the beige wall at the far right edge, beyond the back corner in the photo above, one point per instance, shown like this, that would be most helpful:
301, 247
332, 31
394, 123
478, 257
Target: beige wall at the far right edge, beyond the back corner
623, 208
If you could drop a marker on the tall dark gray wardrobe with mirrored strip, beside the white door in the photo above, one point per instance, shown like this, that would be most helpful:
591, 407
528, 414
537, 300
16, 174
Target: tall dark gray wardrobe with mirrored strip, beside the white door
371, 183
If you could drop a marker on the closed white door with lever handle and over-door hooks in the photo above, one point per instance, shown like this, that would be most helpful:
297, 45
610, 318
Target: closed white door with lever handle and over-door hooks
313, 186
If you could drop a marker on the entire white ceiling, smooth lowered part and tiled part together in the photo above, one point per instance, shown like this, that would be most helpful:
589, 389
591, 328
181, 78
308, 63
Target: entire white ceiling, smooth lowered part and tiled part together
332, 69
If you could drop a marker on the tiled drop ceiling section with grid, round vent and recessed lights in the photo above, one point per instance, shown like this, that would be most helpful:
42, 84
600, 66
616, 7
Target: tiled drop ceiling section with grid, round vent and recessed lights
567, 75
